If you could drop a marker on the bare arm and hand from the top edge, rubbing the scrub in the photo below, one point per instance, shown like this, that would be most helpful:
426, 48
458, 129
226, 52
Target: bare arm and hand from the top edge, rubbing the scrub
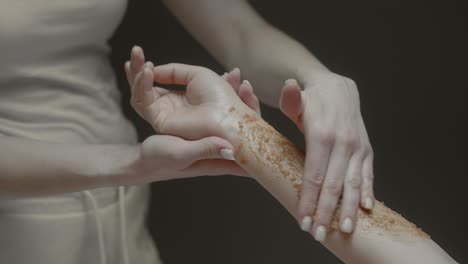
339, 156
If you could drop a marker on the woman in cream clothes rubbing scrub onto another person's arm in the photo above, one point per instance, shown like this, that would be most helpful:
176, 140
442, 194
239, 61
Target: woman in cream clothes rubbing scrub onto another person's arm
63, 132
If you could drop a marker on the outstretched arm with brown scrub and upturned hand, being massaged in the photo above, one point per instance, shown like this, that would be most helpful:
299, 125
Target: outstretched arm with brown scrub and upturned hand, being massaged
380, 236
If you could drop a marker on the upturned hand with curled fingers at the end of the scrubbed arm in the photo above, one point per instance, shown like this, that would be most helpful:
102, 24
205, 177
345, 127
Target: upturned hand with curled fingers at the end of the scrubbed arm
192, 114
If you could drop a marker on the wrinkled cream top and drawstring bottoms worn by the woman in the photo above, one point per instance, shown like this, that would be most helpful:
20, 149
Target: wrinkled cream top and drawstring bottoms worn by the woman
57, 84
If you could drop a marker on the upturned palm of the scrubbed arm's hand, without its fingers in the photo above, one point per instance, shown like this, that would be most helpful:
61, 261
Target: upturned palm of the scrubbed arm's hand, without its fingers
191, 114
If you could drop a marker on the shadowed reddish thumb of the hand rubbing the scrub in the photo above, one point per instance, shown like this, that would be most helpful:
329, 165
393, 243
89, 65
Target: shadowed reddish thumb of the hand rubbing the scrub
291, 102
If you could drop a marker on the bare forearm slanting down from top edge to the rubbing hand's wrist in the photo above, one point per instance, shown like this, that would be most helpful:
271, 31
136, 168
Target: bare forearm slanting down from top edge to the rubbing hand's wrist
233, 32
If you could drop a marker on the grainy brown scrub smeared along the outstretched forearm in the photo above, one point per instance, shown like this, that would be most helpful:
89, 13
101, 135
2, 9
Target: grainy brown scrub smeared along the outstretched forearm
271, 149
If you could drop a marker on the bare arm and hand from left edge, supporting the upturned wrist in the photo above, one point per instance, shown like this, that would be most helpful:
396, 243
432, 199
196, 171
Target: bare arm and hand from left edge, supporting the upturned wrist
35, 168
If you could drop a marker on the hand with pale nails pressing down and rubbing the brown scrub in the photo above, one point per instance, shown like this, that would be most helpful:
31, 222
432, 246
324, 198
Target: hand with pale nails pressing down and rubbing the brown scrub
339, 156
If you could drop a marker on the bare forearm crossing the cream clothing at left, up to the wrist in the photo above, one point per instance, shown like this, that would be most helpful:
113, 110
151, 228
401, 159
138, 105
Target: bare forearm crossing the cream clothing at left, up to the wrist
30, 167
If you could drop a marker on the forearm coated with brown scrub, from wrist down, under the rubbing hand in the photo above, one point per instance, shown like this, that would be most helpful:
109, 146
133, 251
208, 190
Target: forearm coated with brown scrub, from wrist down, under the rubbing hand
380, 236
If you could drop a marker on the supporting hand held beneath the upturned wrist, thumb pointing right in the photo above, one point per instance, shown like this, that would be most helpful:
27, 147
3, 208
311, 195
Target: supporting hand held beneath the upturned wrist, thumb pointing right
163, 157
